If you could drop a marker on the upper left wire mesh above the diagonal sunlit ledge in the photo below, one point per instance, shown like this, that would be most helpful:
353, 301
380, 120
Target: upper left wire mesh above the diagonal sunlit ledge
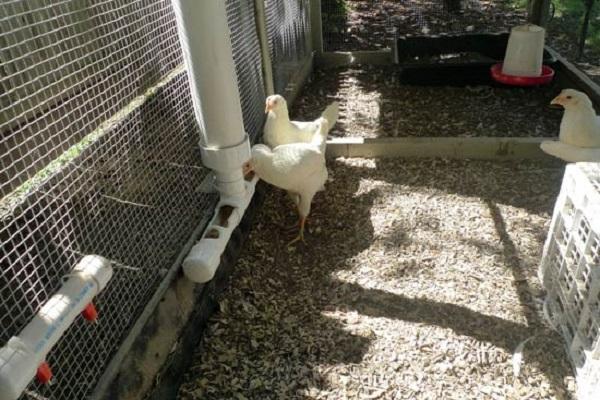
79, 62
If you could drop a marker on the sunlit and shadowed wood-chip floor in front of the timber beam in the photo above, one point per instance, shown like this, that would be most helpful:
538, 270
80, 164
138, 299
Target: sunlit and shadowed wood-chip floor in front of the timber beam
417, 281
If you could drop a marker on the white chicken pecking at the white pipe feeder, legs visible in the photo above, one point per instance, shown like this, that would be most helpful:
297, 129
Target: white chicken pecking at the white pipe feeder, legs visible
298, 168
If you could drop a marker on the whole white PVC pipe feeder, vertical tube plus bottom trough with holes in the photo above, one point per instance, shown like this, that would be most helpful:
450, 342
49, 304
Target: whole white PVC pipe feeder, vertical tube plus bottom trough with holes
205, 39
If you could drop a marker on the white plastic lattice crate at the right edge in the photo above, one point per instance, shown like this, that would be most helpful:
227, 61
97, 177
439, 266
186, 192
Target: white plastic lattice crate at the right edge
570, 272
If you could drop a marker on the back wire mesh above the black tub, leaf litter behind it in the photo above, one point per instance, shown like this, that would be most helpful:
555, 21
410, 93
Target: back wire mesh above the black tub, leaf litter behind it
371, 24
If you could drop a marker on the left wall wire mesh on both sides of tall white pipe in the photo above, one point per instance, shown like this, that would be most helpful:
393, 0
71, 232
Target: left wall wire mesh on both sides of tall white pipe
100, 156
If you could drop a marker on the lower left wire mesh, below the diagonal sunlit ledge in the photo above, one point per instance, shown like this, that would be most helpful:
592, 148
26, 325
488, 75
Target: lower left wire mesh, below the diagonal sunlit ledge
130, 196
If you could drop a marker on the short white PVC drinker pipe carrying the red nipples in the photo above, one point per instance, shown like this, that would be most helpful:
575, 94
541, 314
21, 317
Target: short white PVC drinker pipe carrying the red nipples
22, 355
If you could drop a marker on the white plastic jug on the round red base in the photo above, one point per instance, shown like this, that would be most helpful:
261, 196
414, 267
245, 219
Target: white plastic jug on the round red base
525, 51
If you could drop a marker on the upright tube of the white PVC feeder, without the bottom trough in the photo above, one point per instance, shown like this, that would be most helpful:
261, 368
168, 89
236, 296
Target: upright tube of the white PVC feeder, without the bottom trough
206, 43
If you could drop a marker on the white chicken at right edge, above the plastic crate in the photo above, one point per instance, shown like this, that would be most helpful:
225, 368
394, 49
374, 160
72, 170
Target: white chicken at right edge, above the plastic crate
579, 138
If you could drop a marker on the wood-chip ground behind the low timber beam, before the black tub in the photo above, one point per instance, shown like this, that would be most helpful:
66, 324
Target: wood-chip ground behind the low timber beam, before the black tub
375, 103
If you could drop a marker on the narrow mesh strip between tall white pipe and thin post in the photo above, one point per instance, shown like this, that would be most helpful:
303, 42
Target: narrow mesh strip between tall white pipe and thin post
247, 57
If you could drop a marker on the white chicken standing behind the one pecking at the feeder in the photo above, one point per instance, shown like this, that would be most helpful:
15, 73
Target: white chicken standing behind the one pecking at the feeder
280, 130
